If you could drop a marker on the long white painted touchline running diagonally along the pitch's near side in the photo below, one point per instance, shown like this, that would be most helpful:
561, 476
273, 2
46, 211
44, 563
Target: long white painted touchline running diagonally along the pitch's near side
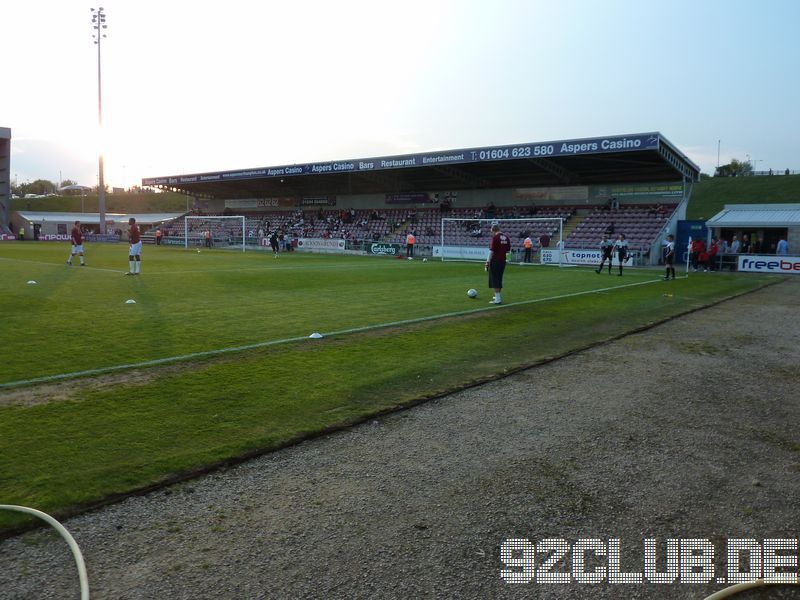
339, 332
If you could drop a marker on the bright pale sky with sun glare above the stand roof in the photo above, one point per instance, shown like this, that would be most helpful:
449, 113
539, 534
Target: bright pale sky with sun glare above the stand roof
198, 86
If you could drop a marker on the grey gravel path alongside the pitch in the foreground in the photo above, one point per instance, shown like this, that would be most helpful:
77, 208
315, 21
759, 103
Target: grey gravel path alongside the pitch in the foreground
686, 430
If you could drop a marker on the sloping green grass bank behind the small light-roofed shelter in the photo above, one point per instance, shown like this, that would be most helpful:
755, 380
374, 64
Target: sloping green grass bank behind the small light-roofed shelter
710, 196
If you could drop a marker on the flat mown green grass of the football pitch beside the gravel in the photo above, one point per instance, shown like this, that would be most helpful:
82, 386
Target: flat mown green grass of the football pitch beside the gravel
71, 444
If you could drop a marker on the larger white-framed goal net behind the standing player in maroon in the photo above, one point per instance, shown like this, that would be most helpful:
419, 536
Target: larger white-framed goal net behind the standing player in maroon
468, 239
